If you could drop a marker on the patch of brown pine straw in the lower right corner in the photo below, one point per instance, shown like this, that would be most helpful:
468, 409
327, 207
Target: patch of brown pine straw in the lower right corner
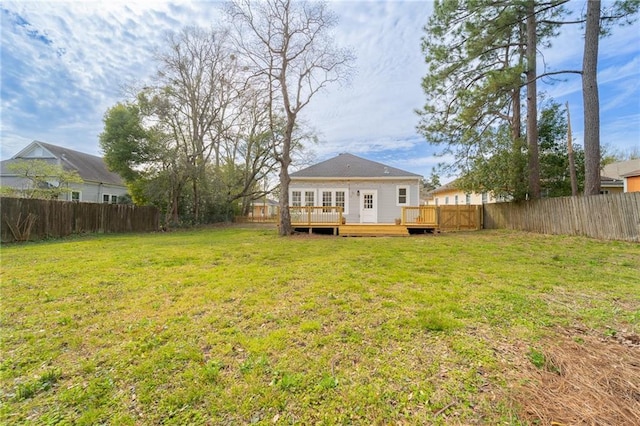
580, 378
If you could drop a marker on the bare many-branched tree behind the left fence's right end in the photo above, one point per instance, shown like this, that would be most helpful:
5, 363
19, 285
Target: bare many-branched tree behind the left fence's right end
195, 94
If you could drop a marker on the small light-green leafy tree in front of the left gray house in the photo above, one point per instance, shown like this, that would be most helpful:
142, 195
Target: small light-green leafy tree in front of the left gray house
45, 180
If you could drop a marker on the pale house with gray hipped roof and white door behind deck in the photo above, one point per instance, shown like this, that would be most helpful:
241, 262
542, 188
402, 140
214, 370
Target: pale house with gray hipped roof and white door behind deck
368, 192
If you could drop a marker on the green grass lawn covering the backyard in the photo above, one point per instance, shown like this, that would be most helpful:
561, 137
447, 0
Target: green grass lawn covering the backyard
240, 326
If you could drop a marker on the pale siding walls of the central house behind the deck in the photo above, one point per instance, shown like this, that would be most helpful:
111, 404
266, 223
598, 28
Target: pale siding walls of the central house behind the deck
387, 207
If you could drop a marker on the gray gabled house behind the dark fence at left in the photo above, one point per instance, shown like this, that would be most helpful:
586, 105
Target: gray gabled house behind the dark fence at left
99, 186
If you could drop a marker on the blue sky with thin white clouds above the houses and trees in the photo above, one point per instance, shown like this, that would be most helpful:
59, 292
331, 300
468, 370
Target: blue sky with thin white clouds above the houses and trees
63, 64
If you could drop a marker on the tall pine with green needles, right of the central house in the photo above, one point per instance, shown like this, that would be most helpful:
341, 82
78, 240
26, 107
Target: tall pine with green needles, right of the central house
481, 53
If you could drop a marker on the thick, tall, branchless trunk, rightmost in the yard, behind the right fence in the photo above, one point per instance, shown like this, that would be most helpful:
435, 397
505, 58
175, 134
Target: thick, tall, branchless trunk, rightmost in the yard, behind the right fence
591, 100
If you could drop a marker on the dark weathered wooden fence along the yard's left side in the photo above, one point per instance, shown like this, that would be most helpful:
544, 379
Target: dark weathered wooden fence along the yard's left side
26, 219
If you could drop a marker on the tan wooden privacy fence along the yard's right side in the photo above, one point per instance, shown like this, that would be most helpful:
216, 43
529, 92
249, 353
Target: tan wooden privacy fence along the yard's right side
605, 217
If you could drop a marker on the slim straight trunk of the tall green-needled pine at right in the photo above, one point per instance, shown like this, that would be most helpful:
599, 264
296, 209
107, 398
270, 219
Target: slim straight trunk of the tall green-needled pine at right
532, 104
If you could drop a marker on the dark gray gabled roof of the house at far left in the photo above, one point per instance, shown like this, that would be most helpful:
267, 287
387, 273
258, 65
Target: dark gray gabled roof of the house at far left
90, 167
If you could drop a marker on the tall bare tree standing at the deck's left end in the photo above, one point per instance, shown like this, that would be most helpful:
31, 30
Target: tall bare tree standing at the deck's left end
289, 49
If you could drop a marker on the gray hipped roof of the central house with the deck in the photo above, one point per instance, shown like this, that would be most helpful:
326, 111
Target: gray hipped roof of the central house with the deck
346, 166
